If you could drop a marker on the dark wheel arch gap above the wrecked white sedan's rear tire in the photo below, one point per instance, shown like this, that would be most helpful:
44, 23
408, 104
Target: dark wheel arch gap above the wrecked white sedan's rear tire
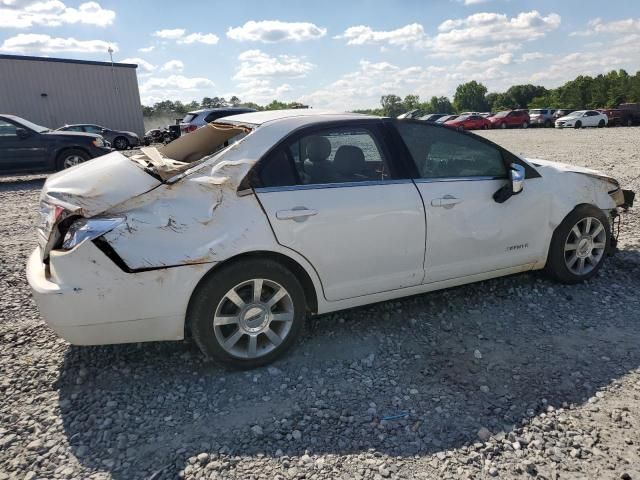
307, 283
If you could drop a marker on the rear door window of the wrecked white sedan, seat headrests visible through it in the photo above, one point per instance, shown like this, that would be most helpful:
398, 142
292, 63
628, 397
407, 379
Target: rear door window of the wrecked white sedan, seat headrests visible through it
329, 156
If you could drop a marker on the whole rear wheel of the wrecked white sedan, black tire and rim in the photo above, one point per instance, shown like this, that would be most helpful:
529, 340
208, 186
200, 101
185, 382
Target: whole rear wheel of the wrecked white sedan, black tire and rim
224, 308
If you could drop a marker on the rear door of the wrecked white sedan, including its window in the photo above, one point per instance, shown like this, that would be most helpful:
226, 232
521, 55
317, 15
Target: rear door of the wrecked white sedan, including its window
335, 195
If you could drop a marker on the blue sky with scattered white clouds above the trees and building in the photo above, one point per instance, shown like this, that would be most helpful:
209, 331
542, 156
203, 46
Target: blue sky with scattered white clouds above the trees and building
334, 54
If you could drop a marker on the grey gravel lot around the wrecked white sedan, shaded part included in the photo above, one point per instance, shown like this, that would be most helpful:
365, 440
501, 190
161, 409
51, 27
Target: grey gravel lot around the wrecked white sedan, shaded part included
517, 377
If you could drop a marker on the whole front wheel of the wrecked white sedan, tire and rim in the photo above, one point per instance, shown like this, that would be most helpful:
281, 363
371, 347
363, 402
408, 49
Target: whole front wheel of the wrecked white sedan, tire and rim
575, 258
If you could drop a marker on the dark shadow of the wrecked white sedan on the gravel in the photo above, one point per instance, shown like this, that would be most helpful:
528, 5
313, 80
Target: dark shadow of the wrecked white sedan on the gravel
409, 377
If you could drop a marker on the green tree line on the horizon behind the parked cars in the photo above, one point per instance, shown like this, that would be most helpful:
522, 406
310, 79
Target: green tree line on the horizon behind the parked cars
602, 91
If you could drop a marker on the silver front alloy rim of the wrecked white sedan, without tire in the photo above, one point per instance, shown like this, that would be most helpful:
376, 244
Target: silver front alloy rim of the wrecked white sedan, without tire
585, 246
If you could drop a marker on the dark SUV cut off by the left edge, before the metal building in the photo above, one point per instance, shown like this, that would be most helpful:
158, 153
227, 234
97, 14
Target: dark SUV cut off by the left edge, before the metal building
27, 147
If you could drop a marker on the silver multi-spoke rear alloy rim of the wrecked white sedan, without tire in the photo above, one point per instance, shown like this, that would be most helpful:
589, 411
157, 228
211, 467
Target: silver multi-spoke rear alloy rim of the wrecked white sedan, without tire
253, 318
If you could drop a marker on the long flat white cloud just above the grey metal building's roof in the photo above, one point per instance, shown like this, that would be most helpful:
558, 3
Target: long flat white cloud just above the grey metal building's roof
32, 42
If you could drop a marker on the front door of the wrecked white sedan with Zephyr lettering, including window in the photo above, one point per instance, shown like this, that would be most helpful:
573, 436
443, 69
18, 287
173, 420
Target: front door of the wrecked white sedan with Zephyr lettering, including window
468, 232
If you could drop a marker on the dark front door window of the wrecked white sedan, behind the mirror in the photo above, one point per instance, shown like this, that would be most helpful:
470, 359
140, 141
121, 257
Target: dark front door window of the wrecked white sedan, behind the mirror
443, 153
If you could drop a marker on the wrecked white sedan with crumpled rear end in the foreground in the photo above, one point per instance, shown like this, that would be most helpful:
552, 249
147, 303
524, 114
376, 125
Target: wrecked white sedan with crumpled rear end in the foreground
302, 213
